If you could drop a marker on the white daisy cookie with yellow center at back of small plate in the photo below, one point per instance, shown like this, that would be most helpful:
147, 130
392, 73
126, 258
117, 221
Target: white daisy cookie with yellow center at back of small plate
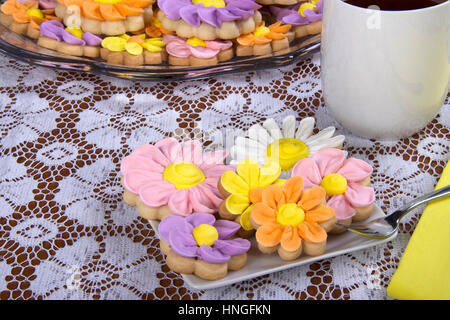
286, 145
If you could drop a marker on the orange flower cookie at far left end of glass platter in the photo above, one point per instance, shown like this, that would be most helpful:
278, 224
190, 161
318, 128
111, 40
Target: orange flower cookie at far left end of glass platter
24, 17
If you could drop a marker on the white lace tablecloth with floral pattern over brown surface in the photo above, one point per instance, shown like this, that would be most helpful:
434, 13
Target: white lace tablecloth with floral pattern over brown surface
65, 231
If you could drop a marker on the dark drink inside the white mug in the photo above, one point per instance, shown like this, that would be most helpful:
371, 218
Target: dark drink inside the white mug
395, 5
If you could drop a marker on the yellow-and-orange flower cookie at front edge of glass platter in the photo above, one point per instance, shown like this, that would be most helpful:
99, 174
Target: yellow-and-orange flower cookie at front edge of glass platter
133, 50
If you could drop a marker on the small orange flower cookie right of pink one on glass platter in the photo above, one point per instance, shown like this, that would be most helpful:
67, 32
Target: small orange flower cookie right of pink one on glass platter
265, 40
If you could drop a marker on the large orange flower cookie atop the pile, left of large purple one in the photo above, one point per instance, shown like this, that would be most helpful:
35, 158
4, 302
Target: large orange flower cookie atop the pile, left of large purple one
108, 17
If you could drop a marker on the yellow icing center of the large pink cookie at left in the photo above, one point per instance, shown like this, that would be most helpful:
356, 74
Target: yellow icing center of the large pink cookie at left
183, 175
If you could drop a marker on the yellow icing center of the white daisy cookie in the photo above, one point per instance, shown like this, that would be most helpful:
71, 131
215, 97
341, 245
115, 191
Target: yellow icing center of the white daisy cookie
287, 152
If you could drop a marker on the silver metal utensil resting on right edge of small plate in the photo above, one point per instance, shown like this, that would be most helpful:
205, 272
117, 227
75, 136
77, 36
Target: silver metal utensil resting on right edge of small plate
382, 228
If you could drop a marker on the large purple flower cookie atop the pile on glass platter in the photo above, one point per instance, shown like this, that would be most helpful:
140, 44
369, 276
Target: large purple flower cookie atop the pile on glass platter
209, 19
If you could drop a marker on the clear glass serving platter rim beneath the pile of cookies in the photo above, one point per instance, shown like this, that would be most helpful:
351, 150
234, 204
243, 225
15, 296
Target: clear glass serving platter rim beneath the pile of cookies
25, 49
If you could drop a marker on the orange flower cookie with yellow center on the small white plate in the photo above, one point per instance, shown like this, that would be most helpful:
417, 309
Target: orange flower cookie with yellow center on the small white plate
291, 220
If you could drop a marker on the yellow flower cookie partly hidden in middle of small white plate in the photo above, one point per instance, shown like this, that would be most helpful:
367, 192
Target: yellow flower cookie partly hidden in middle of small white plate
242, 189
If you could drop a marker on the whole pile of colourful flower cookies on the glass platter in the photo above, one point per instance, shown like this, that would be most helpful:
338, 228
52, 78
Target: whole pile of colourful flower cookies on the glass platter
182, 32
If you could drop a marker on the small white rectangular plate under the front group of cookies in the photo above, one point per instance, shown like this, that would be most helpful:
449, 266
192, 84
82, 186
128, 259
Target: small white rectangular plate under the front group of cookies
259, 264
